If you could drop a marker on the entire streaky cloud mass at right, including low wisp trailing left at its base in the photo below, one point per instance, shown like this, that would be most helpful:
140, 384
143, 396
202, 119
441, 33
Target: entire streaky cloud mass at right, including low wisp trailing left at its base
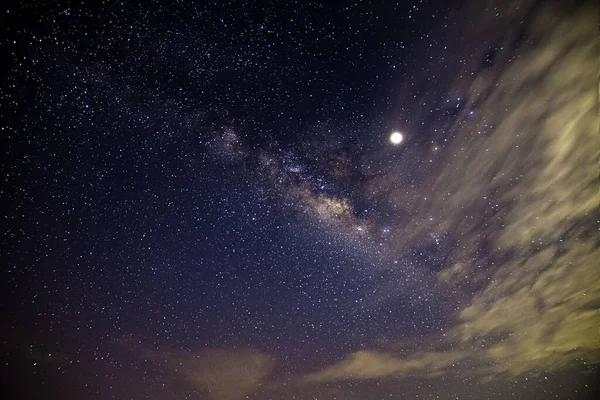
519, 188
